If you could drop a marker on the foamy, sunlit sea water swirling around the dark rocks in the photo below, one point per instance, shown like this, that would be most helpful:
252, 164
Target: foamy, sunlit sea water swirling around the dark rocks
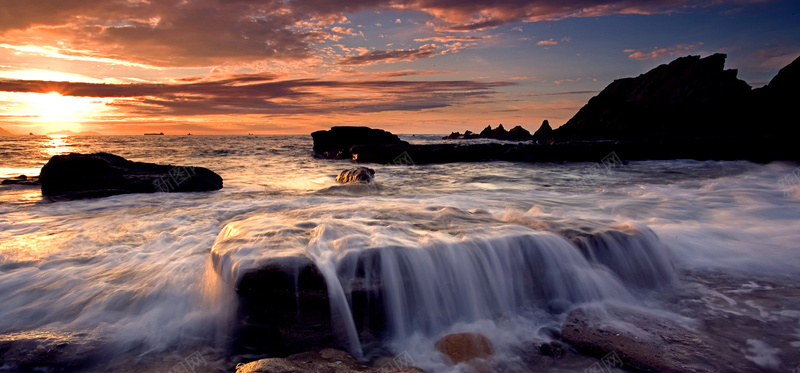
721, 243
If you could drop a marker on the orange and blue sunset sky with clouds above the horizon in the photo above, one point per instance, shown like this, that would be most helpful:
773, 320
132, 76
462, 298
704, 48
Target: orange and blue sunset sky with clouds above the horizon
408, 66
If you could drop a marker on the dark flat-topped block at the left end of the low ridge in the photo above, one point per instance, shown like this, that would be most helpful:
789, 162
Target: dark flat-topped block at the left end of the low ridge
336, 142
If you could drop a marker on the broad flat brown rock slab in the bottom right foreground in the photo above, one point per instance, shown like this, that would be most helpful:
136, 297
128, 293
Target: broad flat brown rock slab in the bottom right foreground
650, 343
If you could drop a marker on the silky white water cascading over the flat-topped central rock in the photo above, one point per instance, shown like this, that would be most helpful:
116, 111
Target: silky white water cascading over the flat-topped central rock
390, 282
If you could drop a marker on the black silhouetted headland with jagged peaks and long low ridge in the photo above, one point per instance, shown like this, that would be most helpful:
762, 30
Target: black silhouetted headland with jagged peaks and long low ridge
691, 108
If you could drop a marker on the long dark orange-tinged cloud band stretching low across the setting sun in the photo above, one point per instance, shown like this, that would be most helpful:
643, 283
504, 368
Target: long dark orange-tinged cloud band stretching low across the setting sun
261, 94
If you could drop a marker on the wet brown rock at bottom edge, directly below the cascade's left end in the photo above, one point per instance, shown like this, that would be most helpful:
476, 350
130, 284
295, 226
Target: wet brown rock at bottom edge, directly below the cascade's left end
325, 361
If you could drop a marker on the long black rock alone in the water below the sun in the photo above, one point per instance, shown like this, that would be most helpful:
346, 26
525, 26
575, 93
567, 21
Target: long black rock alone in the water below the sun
76, 176
